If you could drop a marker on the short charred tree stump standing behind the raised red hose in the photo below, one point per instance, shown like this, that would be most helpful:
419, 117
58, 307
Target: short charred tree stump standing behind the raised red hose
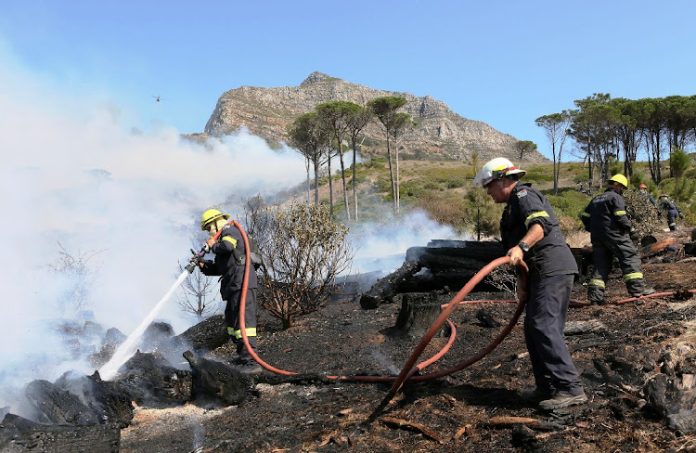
417, 314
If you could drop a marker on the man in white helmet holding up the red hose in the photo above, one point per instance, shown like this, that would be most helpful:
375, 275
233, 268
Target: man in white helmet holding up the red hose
530, 231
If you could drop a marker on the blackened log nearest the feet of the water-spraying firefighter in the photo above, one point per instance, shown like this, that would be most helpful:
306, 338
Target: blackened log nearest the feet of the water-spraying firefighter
216, 383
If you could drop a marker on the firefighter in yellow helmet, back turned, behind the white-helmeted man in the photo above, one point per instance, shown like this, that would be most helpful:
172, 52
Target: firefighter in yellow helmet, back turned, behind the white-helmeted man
610, 228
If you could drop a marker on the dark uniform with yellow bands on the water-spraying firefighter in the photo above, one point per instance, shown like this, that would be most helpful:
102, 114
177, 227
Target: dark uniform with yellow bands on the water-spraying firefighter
229, 265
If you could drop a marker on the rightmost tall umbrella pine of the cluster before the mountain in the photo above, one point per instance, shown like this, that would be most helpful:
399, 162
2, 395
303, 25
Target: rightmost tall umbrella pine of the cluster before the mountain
386, 109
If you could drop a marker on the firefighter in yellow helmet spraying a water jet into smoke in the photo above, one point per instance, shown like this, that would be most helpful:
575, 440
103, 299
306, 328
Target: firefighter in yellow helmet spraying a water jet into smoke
229, 262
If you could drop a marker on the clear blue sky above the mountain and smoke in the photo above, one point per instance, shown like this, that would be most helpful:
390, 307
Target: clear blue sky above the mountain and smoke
502, 62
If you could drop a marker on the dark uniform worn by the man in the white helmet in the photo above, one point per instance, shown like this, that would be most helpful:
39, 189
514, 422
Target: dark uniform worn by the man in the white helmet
552, 269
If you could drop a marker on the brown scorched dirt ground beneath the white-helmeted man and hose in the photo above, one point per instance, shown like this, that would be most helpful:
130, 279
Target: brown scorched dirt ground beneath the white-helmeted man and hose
450, 414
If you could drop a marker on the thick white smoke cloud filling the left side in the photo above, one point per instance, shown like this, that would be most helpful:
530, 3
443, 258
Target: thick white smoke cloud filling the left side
122, 204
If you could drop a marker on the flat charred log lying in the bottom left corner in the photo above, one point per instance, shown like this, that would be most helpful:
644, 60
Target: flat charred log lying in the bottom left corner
19, 435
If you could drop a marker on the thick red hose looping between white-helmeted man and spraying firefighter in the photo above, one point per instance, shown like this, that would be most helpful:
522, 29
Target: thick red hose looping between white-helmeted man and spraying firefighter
410, 368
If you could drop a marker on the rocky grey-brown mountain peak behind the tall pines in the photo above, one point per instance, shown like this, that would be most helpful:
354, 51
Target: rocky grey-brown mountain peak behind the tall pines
440, 133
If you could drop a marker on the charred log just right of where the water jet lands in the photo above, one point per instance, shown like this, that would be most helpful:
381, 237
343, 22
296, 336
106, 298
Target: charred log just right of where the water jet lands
152, 381
